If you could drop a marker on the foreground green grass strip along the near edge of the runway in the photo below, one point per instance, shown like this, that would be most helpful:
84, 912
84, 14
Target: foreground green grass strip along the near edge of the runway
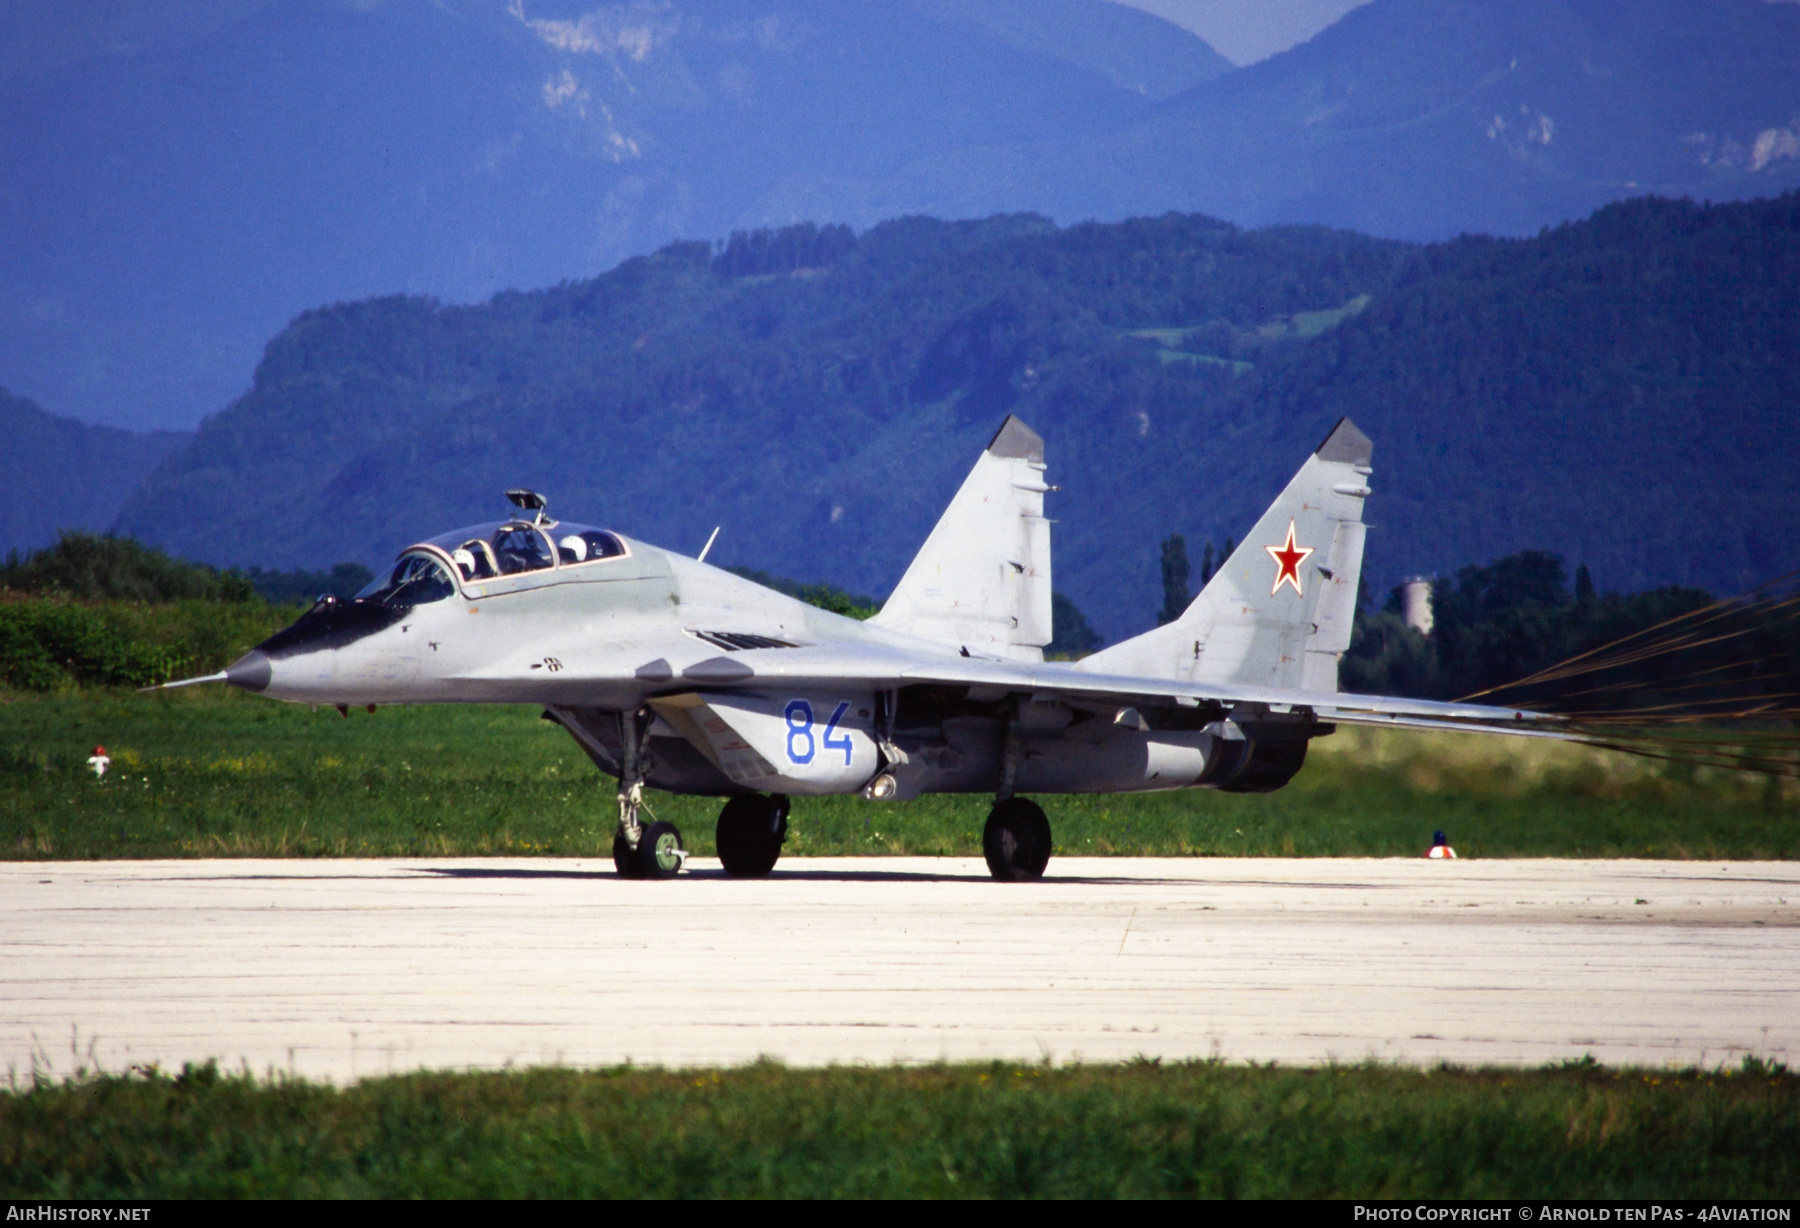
1142, 1130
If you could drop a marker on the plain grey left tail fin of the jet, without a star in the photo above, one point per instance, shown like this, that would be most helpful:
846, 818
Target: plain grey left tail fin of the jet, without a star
982, 581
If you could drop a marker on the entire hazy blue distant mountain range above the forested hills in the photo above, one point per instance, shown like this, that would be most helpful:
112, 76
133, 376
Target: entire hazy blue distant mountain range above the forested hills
172, 203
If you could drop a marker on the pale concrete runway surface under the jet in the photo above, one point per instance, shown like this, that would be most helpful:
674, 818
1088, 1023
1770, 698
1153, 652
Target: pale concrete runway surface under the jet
357, 968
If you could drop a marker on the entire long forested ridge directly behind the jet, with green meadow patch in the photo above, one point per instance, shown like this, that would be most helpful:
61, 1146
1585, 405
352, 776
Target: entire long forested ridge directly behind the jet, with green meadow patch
1621, 392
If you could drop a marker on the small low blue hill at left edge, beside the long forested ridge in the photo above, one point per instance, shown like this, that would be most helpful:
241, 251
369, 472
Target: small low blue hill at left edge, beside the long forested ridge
64, 474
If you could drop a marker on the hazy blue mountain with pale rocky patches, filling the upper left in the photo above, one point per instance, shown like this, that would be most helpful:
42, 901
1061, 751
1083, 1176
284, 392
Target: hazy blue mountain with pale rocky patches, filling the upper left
168, 208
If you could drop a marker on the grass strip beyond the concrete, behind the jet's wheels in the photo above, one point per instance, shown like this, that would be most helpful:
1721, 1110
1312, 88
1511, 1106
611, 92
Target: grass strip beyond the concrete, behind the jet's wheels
213, 773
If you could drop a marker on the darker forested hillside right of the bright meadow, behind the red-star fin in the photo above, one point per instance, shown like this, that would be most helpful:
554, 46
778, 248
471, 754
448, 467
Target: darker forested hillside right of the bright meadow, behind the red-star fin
1624, 392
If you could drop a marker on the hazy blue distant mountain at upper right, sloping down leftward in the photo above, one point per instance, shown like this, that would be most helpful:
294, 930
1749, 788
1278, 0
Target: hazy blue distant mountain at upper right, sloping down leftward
1432, 118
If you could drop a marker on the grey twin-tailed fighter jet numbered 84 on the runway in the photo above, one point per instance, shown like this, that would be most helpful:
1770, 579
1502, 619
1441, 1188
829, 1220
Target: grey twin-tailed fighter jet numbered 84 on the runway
679, 676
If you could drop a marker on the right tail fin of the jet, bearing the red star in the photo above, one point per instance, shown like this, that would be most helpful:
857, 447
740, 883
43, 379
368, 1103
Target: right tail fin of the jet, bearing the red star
1279, 611
